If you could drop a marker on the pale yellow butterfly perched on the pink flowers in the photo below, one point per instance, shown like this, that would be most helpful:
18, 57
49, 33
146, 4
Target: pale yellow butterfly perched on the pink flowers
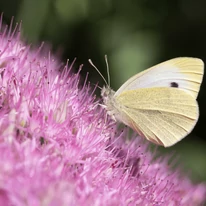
160, 102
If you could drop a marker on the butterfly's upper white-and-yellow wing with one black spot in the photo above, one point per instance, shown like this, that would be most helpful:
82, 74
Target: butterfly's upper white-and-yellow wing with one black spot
183, 72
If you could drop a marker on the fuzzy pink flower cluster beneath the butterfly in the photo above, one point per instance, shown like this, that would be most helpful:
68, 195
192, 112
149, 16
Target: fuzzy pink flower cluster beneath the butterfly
58, 148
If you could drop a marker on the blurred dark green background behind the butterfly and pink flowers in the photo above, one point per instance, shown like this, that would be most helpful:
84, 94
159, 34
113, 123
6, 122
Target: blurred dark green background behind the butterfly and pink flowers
135, 34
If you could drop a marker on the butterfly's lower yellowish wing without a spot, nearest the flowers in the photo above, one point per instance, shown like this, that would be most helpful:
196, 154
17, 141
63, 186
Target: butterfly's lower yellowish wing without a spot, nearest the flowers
162, 115
